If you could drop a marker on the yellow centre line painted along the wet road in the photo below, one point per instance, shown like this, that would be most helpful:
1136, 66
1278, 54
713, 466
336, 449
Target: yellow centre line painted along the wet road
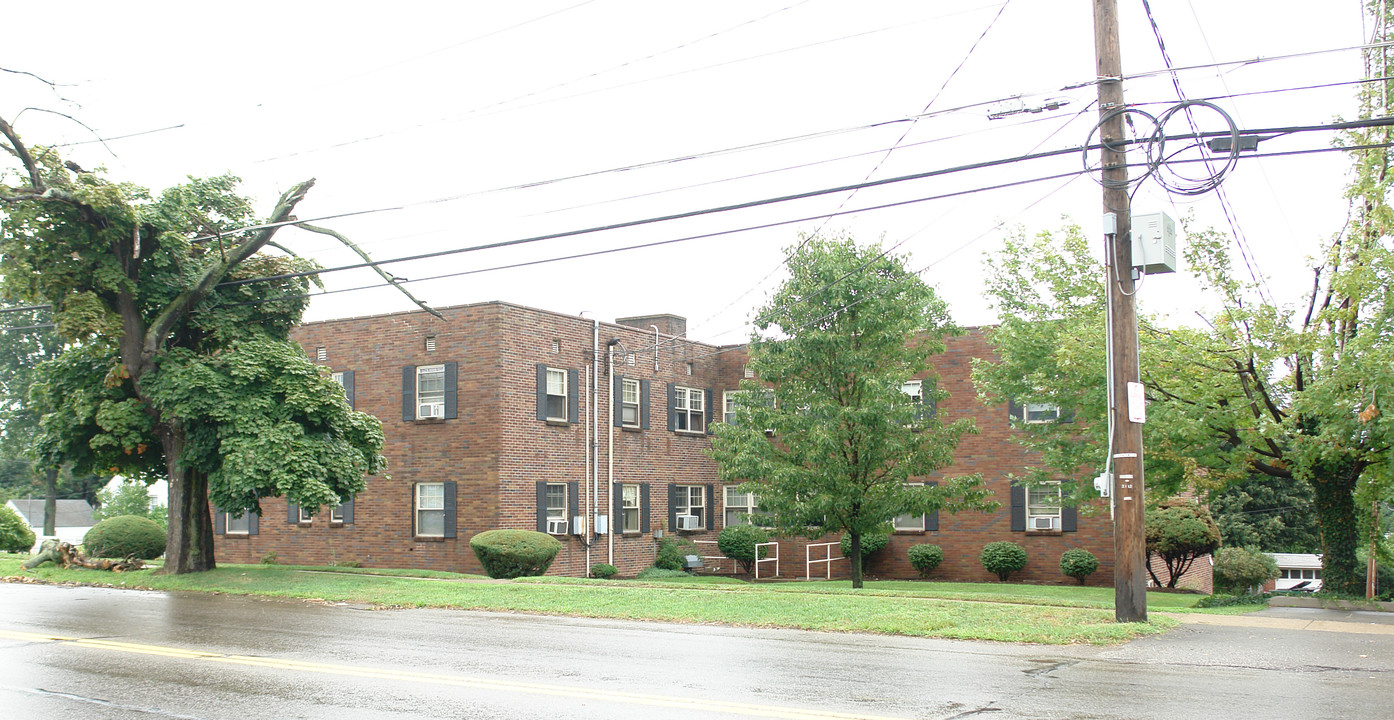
459, 682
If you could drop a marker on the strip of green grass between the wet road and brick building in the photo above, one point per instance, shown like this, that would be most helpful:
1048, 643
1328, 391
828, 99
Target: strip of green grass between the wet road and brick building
723, 603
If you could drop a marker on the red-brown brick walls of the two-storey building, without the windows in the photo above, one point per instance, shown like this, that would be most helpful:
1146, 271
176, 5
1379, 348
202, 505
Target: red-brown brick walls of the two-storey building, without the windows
497, 450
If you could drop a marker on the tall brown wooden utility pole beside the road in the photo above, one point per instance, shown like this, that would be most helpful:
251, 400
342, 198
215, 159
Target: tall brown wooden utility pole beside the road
1130, 541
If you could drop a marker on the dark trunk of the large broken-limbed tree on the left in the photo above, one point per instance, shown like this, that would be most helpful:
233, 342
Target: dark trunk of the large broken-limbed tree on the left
190, 543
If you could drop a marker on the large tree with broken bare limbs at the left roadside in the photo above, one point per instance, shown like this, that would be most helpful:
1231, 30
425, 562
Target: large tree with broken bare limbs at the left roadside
171, 372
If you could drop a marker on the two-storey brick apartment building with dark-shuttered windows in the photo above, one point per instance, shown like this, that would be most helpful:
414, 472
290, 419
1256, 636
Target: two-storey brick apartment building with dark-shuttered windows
500, 417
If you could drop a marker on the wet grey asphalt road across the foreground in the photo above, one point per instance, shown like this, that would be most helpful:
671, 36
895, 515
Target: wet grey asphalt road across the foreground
82, 652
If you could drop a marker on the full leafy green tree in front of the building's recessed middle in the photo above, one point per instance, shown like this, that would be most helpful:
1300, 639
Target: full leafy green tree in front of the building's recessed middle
840, 444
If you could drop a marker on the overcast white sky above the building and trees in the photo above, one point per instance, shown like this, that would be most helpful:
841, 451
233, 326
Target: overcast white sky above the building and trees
409, 104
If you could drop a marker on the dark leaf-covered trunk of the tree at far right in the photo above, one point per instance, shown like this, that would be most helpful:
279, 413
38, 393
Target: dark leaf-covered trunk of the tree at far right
1333, 489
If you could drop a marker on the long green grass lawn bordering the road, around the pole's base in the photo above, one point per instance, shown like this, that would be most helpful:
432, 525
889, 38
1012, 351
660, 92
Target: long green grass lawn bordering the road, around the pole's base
1007, 613
